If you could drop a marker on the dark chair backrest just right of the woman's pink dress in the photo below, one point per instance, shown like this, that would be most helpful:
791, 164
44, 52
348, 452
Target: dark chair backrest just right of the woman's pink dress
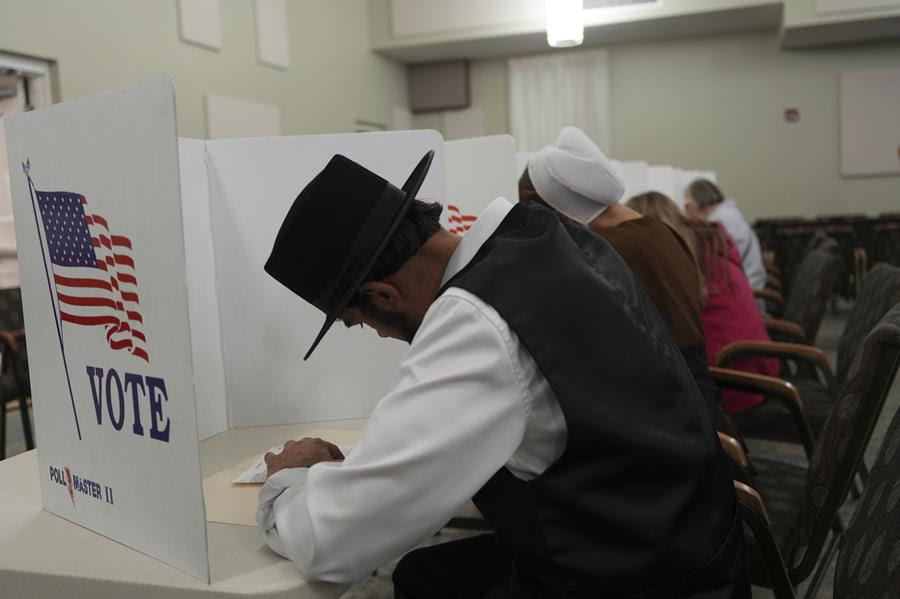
810, 291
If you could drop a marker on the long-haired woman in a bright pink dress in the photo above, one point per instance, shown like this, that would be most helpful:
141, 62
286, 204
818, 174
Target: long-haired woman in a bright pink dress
730, 312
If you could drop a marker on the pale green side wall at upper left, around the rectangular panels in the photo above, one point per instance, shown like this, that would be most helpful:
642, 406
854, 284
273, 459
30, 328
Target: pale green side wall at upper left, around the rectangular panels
333, 80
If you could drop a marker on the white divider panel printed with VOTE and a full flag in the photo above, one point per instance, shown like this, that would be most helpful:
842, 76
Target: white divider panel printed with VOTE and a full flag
101, 258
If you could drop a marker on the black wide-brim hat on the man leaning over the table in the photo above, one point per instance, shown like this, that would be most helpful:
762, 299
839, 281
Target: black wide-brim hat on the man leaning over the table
335, 231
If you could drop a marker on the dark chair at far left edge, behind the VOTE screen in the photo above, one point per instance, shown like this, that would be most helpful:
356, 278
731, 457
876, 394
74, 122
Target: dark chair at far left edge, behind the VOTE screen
15, 386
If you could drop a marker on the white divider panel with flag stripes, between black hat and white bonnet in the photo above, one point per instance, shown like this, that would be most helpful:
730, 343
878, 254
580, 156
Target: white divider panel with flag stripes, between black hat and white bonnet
479, 170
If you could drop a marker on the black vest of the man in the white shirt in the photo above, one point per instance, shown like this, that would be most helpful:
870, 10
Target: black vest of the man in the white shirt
640, 500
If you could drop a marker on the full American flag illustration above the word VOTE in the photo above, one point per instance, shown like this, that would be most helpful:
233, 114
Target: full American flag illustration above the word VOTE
93, 270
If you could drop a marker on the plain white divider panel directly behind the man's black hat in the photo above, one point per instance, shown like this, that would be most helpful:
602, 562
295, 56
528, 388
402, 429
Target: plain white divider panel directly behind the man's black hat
266, 329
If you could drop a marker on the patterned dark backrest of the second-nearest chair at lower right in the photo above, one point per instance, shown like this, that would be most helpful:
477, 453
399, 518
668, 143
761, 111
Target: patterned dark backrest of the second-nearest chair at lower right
840, 446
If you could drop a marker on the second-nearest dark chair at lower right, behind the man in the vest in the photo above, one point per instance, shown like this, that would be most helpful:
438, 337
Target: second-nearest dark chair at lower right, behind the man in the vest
801, 504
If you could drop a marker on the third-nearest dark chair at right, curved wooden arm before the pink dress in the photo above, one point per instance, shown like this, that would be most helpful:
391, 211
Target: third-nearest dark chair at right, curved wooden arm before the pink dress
880, 292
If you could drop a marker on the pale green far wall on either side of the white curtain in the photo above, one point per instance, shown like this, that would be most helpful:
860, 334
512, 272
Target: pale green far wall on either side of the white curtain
717, 103
